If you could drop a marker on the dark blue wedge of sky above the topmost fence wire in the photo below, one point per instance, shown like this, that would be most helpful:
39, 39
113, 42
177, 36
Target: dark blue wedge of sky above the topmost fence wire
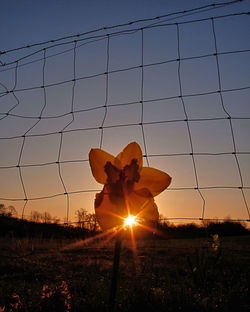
29, 21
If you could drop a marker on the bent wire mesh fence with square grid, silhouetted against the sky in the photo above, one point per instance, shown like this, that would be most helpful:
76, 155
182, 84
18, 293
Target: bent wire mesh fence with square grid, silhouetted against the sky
93, 36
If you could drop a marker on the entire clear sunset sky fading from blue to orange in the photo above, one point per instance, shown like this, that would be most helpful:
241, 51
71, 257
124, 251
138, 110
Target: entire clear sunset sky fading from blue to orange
174, 95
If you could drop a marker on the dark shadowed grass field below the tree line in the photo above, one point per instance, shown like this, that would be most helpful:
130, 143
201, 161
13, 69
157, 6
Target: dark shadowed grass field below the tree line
164, 275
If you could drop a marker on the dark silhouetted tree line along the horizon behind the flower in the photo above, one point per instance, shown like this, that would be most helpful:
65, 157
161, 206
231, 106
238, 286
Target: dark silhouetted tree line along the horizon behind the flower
43, 225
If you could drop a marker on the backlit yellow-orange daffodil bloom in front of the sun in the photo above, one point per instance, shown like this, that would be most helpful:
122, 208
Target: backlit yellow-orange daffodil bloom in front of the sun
129, 188
